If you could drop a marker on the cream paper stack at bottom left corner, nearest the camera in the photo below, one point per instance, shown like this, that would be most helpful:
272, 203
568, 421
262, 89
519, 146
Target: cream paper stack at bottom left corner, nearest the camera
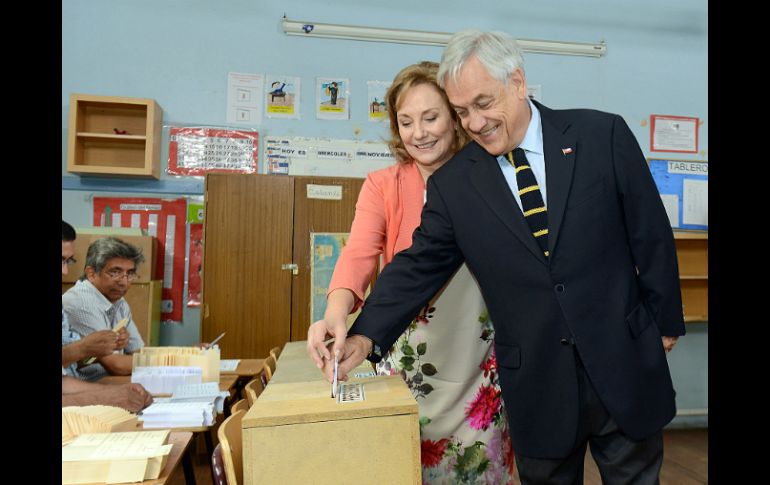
115, 457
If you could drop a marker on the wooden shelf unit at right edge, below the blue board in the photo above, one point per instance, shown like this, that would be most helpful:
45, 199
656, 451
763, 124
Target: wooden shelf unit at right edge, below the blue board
692, 255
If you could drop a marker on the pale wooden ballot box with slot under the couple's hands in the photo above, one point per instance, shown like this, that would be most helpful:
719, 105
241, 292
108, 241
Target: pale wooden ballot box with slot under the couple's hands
297, 433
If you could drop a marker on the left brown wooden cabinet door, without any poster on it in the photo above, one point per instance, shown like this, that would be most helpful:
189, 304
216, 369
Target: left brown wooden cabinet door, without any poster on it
247, 237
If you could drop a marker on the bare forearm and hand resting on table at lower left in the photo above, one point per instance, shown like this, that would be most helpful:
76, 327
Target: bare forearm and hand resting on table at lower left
131, 397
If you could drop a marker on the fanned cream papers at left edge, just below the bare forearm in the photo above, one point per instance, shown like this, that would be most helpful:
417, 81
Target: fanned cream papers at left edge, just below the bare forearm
77, 420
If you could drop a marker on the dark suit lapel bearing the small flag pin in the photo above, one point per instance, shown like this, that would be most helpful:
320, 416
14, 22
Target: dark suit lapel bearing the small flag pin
559, 150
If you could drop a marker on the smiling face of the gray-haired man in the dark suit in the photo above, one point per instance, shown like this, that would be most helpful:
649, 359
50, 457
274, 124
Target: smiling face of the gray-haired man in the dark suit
494, 114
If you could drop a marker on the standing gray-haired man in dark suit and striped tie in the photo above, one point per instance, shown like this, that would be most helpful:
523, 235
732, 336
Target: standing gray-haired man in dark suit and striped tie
558, 218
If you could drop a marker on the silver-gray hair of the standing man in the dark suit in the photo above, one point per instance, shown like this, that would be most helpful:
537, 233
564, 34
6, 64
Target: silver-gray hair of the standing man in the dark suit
498, 52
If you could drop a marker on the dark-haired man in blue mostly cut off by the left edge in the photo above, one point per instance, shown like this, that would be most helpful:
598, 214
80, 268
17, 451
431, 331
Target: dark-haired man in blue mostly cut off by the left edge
98, 344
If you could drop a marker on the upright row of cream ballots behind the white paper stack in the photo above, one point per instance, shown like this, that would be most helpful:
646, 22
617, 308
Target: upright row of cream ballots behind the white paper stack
206, 359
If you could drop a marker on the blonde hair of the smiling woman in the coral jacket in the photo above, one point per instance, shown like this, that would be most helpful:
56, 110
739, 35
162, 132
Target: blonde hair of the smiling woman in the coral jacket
410, 76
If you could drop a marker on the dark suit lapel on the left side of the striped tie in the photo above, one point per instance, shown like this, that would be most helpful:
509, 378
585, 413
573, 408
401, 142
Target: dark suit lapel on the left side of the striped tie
489, 182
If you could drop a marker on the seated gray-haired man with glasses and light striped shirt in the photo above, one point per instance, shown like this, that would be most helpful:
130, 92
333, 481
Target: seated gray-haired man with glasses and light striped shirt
96, 302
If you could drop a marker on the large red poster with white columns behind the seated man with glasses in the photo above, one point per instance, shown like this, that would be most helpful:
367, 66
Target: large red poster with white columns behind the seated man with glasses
165, 219
